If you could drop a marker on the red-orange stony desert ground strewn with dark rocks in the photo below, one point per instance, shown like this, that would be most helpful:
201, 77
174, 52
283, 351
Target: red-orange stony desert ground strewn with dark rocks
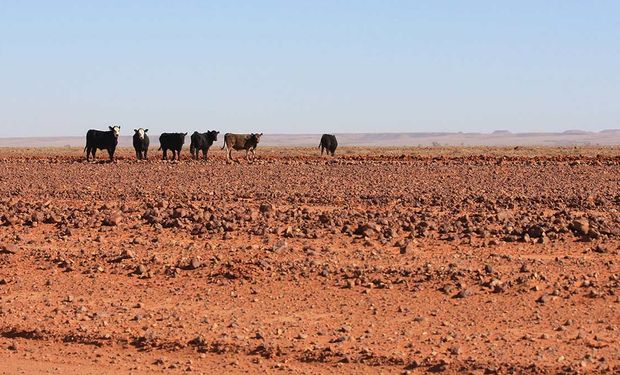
476, 260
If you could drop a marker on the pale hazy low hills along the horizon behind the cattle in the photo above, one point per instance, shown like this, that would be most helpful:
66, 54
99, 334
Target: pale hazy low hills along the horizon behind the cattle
497, 138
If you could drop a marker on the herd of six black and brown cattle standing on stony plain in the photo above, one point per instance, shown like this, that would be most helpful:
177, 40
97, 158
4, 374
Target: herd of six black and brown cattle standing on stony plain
200, 142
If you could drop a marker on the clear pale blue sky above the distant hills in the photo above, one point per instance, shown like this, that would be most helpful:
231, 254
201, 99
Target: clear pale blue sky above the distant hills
308, 66
